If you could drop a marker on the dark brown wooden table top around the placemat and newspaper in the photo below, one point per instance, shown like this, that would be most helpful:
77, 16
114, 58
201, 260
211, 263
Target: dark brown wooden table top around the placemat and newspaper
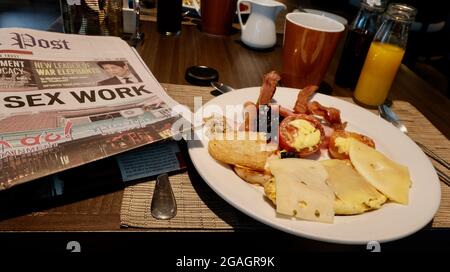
168, 57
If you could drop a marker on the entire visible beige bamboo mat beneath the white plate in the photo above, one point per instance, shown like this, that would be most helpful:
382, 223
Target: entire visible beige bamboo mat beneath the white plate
199, 208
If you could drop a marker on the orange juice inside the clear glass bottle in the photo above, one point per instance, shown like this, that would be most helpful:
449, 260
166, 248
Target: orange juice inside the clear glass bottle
378, 73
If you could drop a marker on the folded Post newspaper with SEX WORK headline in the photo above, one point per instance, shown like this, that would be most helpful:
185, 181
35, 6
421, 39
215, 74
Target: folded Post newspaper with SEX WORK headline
66, 100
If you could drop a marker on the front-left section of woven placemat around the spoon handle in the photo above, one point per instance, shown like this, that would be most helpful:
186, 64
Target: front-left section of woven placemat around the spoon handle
198, 207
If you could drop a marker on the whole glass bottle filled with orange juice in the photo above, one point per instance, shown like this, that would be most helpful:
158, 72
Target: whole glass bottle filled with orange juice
384, 56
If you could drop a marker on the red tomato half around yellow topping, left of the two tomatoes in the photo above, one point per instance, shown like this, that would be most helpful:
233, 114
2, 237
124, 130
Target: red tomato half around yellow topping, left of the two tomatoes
288, 133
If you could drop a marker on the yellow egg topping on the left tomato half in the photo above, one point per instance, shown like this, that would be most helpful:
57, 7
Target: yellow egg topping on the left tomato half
307, 135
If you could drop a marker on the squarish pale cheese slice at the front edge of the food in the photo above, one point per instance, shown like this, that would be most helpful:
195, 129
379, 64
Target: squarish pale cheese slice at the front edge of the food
301, 189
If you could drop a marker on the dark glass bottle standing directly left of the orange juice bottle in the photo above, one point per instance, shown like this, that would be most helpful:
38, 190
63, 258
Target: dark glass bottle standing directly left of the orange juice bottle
360, 35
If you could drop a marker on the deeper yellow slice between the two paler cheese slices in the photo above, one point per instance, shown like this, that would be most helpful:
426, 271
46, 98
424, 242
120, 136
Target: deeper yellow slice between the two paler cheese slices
356, 195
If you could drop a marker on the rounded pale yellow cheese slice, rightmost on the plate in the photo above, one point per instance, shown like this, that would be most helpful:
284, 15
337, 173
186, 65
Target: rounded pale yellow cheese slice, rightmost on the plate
387, 176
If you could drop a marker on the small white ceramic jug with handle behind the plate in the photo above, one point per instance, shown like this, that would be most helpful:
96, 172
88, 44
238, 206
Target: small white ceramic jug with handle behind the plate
259, 30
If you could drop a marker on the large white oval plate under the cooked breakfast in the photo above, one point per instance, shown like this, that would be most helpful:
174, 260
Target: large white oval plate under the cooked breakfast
392, 221
